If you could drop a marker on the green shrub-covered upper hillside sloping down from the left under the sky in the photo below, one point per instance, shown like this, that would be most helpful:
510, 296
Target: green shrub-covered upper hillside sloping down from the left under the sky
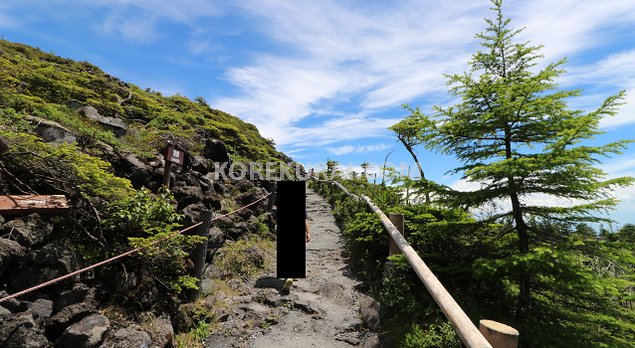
36, 83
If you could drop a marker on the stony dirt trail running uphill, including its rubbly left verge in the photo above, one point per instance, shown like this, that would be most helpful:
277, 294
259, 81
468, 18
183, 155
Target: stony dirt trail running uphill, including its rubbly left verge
322, 310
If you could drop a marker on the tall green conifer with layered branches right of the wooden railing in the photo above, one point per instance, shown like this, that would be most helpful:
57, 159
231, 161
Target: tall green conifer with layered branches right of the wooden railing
519, 141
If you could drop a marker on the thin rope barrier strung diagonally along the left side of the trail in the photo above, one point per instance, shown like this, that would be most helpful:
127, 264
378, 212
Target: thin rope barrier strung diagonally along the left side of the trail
117, 257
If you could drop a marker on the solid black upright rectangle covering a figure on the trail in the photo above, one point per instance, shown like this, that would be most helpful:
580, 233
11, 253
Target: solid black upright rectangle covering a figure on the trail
291, 238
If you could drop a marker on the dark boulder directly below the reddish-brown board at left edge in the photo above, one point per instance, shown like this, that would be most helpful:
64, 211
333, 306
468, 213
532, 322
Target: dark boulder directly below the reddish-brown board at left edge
29, 230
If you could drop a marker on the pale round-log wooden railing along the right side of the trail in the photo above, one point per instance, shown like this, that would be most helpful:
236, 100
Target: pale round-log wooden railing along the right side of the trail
491, 333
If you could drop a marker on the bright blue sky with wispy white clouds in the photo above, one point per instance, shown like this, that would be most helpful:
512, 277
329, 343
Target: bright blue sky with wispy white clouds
325, 79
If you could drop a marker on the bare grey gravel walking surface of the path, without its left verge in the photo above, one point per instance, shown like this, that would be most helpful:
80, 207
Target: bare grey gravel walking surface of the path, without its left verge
328, 290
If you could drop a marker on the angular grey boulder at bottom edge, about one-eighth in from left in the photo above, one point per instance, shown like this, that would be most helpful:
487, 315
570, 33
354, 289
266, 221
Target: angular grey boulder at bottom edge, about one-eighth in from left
87, 333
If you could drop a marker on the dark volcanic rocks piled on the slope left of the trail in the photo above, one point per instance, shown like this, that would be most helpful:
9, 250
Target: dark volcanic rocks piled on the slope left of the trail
74, 313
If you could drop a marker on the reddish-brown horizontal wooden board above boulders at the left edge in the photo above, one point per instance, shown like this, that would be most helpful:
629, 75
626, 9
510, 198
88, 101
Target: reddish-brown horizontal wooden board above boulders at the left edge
13, 205
